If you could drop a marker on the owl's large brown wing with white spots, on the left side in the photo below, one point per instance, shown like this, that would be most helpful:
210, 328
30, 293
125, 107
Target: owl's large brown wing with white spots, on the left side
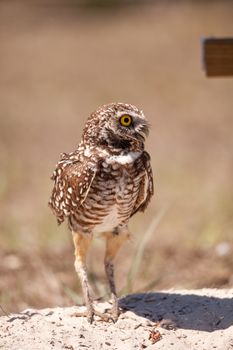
72, 180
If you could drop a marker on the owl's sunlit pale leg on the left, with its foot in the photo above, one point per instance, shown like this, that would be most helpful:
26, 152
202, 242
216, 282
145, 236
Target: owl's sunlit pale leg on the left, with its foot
81, 244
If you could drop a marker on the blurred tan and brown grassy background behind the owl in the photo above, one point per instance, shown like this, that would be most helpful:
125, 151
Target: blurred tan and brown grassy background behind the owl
59, 60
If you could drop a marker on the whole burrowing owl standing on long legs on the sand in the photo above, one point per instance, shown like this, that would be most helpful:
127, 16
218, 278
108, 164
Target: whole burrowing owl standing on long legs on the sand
100, 185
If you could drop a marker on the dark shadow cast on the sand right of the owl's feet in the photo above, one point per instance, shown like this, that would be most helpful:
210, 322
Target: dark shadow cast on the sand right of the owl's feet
174, 310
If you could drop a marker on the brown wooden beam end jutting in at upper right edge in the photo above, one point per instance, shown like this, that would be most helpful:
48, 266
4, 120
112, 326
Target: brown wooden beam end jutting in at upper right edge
218, 57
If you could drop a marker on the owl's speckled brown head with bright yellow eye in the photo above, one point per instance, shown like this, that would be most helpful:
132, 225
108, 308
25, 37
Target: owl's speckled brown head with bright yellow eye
117, 126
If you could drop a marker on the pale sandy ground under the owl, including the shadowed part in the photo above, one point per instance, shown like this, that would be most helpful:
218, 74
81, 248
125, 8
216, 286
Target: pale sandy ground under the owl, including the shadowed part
174, 319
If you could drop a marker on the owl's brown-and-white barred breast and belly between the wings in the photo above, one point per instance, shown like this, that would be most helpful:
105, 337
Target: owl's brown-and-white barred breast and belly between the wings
112, 196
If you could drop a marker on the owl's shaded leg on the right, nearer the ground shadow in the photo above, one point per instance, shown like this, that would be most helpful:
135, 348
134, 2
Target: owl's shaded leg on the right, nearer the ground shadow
113, 244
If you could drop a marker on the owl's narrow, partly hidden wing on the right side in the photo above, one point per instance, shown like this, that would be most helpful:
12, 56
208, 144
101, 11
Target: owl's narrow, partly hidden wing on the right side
146, 186
